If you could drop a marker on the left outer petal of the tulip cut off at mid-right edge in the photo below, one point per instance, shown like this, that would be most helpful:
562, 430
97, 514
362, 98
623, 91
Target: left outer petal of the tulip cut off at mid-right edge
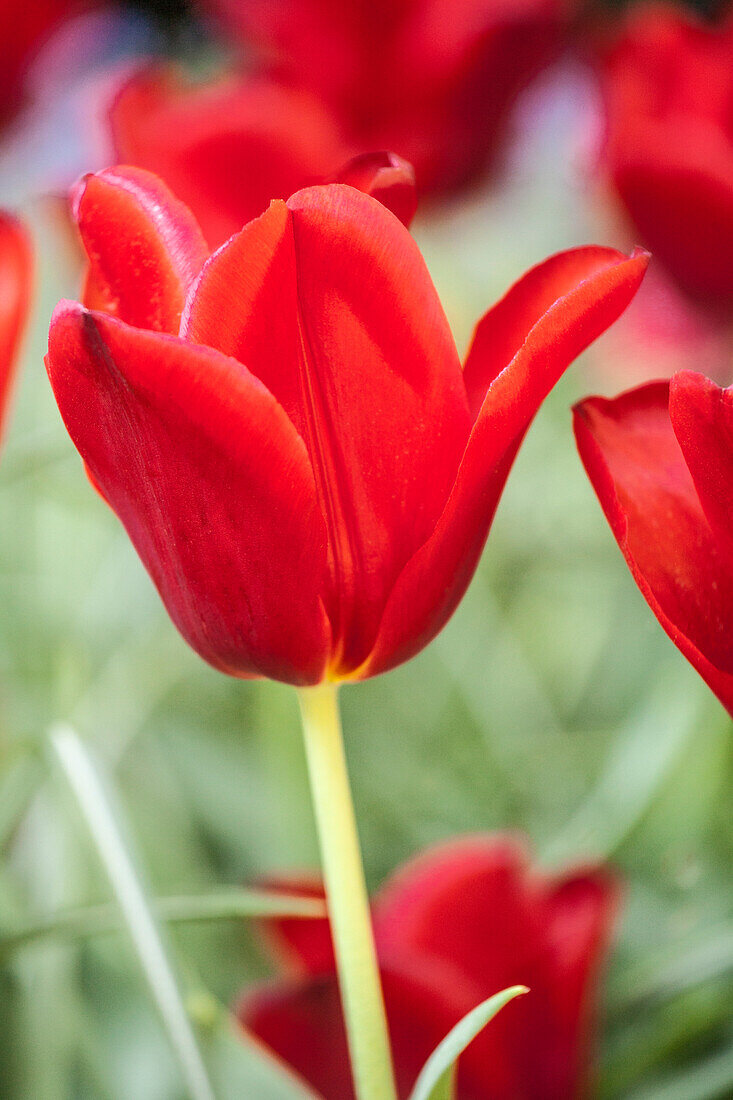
639, 472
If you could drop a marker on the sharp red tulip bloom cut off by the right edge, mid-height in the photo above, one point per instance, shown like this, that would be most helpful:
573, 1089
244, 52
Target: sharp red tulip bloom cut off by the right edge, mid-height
661, 460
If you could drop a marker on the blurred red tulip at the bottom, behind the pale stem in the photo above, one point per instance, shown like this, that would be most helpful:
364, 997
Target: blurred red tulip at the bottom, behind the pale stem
453, 928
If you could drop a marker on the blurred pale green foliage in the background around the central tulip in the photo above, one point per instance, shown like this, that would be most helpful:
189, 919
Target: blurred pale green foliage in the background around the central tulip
553, 703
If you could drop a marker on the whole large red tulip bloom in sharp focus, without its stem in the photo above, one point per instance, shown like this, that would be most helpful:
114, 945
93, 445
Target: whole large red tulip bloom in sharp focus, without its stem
285, 428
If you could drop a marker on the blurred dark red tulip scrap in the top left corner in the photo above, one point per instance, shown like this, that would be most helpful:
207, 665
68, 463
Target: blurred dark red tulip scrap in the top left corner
25, 29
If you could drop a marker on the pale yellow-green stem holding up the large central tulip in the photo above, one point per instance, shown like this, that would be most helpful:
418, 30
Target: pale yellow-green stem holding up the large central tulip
348, 904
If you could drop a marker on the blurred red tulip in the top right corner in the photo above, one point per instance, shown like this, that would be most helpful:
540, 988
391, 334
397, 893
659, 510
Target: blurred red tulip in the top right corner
670, 89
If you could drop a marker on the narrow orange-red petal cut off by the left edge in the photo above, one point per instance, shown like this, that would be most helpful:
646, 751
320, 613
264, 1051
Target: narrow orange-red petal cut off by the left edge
16, 279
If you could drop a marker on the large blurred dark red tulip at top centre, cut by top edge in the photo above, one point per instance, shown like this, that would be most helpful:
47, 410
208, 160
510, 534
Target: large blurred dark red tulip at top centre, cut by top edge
432, 80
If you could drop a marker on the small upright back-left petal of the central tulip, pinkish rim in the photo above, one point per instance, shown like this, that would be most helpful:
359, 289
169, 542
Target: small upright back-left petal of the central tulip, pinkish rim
145, 247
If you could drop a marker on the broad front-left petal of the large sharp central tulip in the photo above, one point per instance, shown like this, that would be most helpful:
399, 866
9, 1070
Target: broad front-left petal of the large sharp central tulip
212, 483
